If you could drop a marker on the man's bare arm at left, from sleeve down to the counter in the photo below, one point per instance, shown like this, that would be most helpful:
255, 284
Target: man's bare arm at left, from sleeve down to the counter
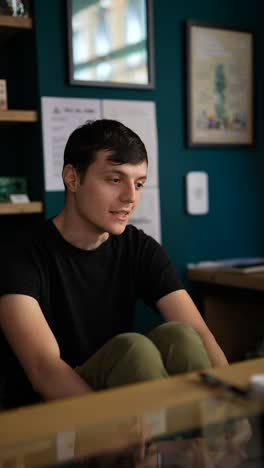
35, 346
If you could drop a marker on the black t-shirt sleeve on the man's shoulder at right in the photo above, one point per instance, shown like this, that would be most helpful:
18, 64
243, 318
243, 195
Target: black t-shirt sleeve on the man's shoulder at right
156, 276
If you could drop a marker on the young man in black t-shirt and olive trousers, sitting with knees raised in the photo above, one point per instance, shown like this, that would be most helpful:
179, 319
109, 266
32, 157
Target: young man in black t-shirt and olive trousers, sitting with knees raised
68, 292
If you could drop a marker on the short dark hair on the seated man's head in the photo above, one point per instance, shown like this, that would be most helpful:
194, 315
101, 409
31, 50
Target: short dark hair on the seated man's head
123, 144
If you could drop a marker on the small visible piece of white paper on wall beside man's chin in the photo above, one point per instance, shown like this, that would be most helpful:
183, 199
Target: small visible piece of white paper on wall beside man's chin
147, 214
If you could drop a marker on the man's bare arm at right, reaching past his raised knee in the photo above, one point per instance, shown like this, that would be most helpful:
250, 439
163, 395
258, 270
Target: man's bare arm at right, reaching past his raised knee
178, 306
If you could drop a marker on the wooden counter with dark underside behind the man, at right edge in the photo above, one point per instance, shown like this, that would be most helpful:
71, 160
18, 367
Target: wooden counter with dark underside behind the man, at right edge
233, 308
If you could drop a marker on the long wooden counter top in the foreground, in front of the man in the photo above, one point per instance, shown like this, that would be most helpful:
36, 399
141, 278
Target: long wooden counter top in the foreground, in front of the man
112, 419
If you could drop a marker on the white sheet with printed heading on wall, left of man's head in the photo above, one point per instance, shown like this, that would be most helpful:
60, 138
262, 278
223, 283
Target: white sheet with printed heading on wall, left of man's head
60, 116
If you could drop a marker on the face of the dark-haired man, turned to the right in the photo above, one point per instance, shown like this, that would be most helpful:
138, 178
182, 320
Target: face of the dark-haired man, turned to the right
109, 193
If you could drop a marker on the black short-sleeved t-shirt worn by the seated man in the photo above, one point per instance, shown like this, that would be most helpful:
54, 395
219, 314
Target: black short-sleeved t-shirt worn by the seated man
87, 297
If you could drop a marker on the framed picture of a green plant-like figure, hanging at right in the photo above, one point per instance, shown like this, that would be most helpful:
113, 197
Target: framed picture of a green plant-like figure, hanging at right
220, 82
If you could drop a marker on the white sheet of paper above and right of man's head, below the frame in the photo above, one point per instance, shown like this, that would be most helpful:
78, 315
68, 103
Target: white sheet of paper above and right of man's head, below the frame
140, 116
